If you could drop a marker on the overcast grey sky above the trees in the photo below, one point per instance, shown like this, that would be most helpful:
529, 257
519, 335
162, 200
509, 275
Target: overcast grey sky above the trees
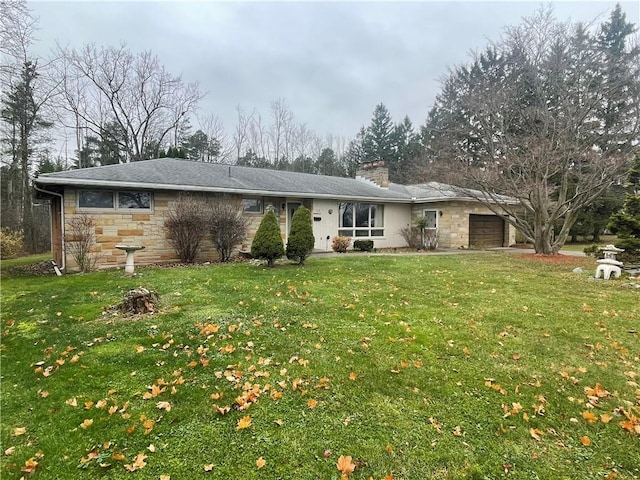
332, 62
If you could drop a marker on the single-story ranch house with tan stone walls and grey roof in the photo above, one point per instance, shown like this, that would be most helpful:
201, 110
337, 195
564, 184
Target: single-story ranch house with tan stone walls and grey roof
130, 202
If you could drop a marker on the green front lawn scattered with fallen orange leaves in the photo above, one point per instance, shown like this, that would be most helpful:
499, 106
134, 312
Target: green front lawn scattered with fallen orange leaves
421, 366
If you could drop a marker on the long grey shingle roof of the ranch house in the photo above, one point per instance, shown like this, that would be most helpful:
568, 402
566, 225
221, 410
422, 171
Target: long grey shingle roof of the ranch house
185, 175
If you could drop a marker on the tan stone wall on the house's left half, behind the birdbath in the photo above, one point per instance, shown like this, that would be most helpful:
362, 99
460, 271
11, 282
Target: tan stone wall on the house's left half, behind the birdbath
142, 228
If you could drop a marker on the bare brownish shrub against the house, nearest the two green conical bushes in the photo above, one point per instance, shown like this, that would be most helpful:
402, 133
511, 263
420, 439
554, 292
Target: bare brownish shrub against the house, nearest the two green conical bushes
228, 227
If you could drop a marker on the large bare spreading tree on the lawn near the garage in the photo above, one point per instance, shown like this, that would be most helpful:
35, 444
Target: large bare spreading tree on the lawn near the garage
547, 116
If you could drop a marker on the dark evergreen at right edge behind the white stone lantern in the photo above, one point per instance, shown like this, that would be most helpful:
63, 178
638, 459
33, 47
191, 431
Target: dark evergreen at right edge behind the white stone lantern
626, 222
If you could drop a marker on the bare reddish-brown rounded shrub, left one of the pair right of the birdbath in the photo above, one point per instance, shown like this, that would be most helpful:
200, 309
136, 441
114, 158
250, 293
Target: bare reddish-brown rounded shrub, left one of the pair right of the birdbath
187, 224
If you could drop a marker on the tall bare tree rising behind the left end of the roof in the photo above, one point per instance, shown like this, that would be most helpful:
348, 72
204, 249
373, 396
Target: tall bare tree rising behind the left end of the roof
103, 85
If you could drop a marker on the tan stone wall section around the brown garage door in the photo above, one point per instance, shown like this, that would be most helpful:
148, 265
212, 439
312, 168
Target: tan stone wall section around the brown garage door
453, 225
